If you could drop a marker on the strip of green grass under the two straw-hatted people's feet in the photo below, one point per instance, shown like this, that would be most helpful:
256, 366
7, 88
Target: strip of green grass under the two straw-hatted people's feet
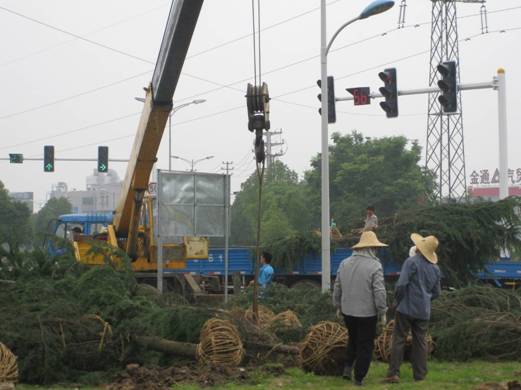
442, 375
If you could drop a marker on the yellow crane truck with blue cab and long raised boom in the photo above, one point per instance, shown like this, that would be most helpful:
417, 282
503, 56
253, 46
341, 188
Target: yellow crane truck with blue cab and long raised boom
131, 226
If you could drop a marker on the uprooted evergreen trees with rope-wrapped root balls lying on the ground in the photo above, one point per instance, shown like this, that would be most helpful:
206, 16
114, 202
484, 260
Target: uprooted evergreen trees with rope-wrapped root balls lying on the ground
63, 322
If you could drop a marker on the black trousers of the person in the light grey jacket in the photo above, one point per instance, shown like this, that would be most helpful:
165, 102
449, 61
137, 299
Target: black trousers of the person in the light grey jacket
360, 344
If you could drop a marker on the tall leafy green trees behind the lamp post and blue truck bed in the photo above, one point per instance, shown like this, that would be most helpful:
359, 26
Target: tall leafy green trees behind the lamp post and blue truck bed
383, 172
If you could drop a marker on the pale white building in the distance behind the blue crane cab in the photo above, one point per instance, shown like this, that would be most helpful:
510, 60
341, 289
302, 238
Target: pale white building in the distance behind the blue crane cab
101, 195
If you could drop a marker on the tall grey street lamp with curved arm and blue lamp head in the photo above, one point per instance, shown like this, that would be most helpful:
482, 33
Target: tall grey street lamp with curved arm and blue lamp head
376, 7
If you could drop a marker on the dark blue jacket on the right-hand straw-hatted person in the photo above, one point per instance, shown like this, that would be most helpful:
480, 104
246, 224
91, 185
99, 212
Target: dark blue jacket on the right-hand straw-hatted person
418, 285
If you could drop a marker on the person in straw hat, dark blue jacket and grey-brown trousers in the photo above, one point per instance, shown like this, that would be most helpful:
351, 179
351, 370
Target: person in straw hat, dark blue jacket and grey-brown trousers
418, 285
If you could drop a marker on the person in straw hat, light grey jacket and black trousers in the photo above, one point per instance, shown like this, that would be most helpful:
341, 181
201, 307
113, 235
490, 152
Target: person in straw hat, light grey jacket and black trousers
360, 298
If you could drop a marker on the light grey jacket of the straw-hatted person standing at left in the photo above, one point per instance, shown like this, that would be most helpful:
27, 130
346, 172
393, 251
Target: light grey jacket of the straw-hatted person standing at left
359, 287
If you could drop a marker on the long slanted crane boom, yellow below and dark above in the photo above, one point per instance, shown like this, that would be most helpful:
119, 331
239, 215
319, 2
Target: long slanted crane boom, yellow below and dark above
158, 104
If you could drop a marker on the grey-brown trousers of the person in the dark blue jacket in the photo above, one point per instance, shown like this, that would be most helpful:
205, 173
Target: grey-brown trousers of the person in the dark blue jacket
402, 324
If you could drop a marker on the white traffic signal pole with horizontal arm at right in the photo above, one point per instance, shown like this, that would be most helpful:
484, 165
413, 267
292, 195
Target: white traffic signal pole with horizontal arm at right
498, 83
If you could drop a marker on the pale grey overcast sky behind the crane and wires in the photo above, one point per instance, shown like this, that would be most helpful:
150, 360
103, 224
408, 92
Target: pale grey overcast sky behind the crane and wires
76, 95
